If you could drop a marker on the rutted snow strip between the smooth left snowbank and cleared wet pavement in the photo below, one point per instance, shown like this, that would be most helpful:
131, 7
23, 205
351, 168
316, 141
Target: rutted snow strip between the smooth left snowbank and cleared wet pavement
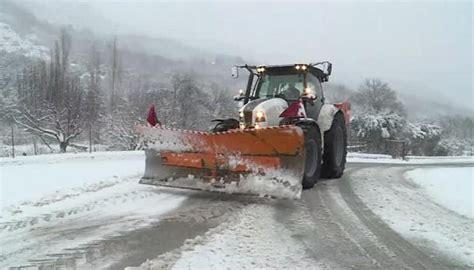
75, 221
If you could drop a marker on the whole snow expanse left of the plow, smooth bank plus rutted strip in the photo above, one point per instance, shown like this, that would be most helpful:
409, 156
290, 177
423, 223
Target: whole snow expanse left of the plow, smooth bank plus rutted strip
51, 203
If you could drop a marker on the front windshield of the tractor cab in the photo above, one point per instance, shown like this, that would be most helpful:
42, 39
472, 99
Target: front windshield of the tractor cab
287, 86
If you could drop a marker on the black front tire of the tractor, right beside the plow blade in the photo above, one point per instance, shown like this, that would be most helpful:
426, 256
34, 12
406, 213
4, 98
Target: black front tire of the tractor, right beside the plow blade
313, 156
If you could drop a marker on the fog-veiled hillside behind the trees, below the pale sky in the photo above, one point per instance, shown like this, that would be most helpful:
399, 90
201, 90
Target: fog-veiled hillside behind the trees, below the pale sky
36, 25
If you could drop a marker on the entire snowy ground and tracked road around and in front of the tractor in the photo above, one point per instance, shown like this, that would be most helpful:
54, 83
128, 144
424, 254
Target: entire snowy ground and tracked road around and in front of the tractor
374, 217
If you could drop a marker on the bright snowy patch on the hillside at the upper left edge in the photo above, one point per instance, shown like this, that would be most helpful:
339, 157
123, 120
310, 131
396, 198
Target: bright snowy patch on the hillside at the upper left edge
11, 42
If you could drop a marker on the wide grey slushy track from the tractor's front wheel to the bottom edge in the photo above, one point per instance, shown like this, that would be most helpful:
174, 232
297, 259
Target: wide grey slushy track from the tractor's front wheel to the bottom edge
336, 237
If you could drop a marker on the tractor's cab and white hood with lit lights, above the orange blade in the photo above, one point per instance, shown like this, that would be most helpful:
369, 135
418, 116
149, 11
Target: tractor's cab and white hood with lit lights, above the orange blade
272, 89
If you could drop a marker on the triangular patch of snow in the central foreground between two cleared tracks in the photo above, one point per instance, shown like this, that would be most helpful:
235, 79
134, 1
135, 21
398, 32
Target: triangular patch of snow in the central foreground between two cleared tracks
250, 240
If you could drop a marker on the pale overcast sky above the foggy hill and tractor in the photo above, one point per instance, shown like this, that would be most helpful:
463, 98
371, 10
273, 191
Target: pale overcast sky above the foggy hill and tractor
421, 47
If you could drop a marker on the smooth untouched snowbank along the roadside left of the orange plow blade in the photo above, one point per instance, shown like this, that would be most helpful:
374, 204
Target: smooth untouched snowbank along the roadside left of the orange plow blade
32, 177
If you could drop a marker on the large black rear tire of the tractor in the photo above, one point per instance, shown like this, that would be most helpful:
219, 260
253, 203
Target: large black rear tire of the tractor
335, 148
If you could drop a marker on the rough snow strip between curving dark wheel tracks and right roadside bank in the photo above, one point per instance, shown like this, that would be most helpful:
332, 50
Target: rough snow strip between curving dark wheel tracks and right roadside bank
401, 204
